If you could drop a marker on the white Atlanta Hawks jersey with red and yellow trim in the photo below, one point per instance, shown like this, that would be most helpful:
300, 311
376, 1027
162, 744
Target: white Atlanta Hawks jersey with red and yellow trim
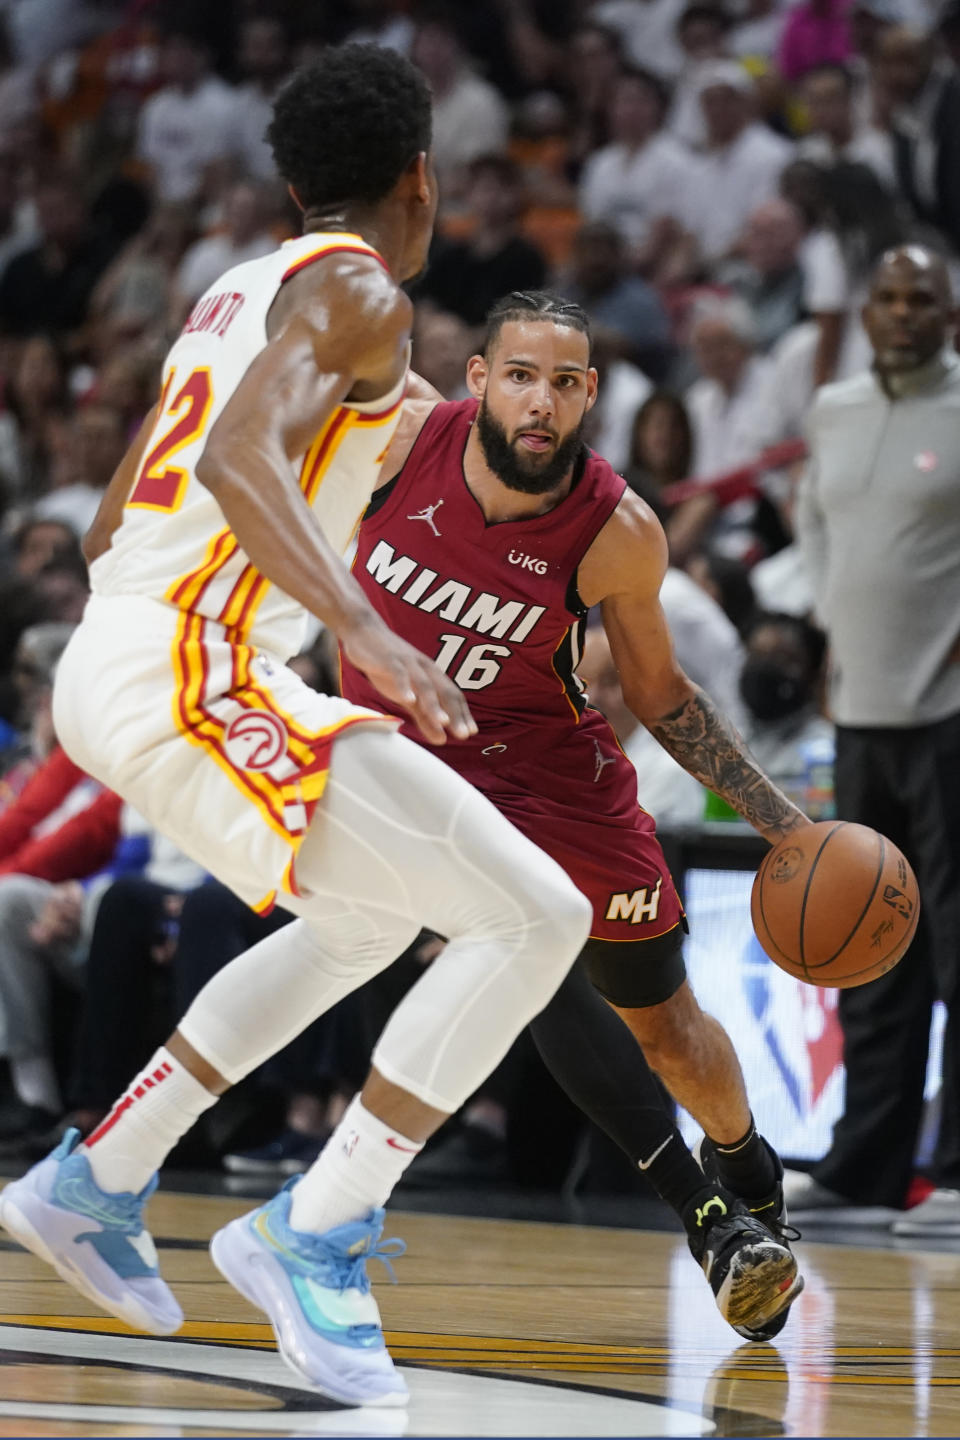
173, 542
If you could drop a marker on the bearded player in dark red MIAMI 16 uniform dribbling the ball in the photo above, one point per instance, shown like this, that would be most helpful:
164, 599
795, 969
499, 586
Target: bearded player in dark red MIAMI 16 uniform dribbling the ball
490, 536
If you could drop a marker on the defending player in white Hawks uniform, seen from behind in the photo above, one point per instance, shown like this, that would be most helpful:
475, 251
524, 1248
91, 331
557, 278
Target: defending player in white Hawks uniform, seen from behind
222, 528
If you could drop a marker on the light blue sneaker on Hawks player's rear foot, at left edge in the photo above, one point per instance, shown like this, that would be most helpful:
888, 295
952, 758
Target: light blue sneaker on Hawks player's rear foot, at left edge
94, 1241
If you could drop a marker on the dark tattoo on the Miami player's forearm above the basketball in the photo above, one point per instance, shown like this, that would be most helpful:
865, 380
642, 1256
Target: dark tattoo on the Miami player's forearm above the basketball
709, 747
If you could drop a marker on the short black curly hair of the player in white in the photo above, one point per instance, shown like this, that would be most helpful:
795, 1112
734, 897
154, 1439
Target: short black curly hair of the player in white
348, 126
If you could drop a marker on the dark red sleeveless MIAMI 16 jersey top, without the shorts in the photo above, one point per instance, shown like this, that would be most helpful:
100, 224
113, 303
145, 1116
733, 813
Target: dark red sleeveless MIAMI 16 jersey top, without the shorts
496, 606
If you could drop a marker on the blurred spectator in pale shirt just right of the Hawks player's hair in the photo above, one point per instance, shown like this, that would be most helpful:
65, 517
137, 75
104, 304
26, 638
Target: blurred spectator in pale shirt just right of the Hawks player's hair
470, 117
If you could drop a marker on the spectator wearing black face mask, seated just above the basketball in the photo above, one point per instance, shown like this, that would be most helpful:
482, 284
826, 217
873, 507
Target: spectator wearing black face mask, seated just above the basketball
779, 685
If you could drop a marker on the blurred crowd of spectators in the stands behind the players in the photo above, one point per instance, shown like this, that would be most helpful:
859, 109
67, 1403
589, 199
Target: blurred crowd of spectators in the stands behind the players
713, 182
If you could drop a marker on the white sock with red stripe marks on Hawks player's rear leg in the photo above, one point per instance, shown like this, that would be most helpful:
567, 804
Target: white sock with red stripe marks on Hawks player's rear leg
146, 1124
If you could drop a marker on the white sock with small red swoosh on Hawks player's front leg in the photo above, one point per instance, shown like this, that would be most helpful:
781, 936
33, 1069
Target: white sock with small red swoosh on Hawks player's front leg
355, 1173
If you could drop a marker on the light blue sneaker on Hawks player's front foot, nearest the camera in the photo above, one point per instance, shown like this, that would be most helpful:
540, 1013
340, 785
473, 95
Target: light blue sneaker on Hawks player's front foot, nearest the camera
317, 1295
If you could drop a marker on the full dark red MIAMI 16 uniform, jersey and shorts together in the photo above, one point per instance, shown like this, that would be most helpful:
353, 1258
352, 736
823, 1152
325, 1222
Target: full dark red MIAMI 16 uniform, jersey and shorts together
497, 607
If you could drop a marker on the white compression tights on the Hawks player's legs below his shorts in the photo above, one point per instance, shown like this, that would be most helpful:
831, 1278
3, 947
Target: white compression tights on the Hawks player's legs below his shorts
401, 842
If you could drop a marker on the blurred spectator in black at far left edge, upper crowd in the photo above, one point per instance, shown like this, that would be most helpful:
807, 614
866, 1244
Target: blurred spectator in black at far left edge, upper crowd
50, 286
